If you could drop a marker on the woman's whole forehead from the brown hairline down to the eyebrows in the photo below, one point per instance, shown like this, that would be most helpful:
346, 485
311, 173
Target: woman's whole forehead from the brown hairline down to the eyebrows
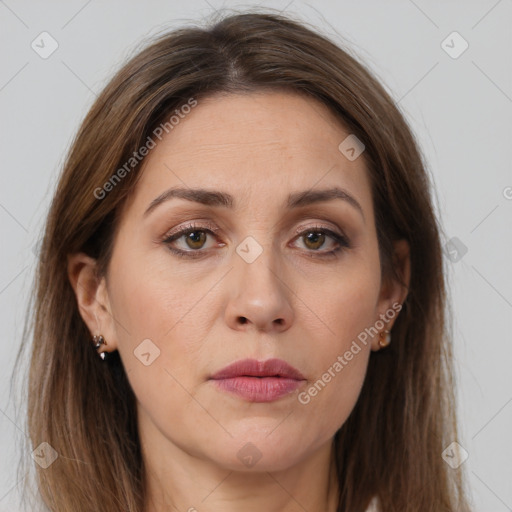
266, 143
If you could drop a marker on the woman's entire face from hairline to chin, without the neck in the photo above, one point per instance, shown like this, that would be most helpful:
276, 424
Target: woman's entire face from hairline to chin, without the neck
278, 259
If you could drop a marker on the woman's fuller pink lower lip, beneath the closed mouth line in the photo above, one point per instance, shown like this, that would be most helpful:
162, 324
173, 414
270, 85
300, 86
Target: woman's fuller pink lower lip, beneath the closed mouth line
259, 389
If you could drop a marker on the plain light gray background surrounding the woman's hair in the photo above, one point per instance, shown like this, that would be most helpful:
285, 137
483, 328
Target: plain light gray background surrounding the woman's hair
460, 110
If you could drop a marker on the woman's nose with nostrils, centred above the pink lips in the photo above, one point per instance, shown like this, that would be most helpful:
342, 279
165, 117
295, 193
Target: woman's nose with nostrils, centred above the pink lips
260, 297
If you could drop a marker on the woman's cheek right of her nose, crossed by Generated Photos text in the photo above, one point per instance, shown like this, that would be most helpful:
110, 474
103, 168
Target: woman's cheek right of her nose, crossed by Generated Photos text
347, 309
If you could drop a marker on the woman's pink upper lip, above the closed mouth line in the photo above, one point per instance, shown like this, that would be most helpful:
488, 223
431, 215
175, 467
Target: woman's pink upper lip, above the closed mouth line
254, 368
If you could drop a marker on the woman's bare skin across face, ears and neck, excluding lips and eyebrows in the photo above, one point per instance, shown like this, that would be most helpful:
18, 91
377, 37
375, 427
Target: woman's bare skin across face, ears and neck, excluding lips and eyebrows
298, 305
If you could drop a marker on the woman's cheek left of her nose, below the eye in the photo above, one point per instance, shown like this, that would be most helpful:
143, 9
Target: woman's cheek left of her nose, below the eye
159, 323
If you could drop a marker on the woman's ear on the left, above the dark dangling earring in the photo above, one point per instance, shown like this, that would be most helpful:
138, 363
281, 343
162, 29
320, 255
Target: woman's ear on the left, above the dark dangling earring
92, 298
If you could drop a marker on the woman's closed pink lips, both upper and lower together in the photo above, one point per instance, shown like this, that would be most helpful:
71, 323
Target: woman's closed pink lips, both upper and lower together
258, 381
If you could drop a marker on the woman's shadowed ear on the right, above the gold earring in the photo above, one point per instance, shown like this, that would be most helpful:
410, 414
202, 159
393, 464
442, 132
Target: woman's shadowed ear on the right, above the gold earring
393, 290
